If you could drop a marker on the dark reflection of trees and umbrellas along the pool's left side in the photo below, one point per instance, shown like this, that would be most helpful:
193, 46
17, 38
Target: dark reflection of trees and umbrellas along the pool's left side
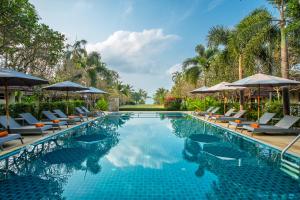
40, 171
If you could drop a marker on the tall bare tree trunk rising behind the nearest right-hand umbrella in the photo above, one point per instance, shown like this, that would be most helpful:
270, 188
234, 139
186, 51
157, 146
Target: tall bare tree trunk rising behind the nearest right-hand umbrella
284, 60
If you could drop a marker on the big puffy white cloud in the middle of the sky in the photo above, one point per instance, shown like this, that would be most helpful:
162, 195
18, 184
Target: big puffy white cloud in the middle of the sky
134, 52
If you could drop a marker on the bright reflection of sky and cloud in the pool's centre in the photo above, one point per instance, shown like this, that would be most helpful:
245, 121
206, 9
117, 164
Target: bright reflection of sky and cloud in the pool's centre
147, 149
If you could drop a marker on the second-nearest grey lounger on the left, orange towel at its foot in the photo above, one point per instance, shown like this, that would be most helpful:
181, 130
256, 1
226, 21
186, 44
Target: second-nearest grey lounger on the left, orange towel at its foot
14, 127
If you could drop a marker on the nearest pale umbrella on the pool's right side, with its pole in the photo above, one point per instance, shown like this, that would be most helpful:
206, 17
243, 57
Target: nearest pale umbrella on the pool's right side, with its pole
262, 80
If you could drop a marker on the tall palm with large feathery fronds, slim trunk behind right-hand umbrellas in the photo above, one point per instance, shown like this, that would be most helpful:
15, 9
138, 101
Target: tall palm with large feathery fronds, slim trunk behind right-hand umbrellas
244, 40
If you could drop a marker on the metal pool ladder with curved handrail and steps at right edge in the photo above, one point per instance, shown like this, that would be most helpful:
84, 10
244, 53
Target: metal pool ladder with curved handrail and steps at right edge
290, 168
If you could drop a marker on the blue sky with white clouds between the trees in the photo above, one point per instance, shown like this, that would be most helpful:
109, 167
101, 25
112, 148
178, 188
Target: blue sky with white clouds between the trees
145, 41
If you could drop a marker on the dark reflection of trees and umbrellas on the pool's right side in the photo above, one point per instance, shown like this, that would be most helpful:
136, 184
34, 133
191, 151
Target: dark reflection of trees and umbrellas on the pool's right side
239, 174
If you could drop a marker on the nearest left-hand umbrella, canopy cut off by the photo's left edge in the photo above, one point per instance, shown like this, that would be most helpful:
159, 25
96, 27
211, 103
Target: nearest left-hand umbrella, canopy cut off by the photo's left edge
10, 77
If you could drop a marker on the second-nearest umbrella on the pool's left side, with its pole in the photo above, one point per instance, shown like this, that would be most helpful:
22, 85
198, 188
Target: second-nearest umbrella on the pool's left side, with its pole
66, 86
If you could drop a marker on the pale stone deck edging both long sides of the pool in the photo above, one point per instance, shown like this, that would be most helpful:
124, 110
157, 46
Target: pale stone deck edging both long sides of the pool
277, 141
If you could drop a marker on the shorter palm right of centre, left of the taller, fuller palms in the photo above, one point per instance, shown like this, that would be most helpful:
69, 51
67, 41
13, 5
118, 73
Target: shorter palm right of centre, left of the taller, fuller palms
194, 67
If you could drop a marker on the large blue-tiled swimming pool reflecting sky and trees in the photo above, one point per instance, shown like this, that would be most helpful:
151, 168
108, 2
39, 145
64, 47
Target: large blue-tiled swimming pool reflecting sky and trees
146, 156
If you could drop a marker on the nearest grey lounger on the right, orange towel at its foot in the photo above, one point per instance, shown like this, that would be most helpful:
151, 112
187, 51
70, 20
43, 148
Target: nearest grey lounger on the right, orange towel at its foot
282, 127
